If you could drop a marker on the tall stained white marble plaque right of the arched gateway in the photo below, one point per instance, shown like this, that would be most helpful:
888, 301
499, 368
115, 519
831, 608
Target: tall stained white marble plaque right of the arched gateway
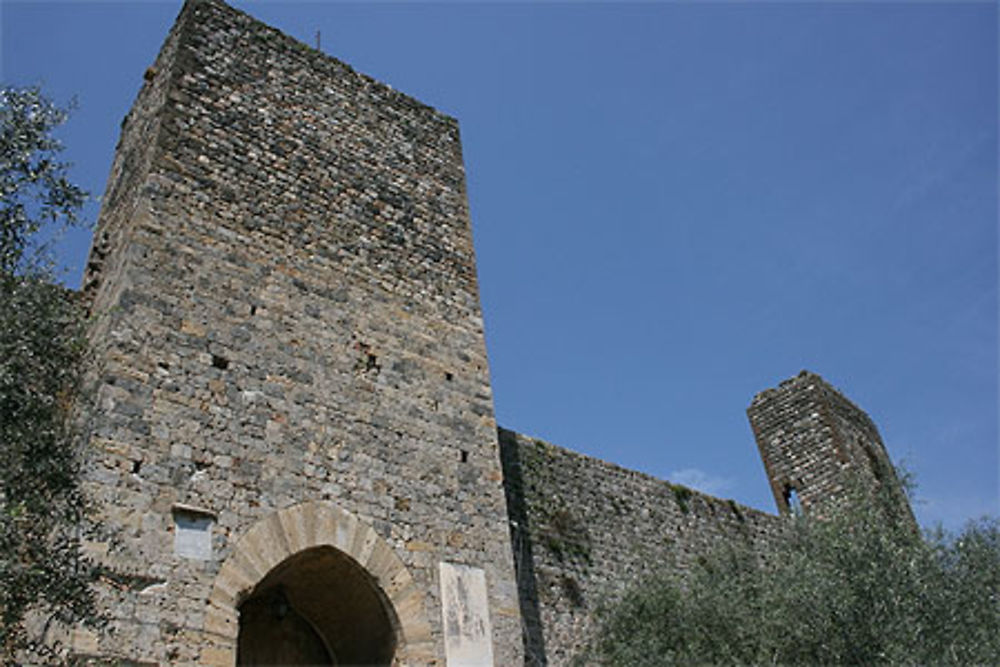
468, 639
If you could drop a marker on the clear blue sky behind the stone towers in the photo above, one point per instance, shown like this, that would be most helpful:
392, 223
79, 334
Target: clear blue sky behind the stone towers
675, 206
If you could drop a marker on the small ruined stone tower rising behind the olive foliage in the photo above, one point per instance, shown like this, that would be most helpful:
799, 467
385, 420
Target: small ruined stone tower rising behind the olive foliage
812, 440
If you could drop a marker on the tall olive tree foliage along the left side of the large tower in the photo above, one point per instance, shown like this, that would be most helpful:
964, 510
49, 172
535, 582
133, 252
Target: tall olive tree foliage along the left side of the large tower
41, 347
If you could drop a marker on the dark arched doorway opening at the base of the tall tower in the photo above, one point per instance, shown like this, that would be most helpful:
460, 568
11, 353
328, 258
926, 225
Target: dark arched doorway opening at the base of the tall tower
318, 607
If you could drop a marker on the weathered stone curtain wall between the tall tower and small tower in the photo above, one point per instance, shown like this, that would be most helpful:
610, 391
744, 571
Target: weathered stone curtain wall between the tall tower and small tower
585, 530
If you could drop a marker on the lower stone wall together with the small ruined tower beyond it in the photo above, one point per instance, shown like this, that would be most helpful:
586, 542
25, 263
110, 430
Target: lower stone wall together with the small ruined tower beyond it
584, 530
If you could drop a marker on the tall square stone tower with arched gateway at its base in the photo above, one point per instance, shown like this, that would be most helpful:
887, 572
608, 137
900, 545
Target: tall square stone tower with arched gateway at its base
294, 456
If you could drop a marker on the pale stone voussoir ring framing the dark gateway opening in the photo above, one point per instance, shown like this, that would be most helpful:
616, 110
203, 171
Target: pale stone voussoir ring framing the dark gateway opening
309, 528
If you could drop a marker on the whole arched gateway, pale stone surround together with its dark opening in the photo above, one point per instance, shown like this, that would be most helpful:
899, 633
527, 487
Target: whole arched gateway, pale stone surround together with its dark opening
314, 584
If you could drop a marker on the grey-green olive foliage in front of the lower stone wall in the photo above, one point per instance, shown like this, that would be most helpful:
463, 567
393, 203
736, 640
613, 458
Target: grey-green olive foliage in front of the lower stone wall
853, 587
